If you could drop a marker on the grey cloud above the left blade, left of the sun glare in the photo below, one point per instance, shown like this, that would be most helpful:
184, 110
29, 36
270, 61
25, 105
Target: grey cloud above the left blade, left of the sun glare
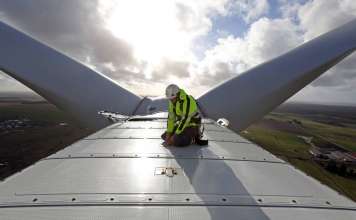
74, 27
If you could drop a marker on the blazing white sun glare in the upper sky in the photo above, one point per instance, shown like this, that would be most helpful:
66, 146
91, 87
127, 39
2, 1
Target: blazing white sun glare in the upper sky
151, 27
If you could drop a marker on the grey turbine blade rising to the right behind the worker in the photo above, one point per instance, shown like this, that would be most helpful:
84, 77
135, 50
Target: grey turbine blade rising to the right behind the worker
249, 96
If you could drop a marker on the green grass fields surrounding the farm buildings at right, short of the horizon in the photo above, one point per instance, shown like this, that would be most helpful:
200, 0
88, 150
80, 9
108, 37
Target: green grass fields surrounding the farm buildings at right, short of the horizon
288, 146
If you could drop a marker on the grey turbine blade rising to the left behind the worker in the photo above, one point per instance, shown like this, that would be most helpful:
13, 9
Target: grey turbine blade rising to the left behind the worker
66, 83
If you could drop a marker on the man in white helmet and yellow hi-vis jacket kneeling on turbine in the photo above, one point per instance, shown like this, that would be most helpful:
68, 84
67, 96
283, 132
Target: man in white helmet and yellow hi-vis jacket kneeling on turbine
183, 118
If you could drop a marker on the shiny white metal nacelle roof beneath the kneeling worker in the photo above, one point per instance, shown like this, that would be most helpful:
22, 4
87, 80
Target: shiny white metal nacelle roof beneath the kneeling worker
224, 180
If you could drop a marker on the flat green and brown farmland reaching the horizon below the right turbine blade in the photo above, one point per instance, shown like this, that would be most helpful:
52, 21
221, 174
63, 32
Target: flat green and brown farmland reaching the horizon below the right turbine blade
280, 132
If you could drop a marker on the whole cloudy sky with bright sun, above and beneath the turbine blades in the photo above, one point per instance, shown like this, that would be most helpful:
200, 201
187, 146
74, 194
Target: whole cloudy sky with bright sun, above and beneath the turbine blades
146, 45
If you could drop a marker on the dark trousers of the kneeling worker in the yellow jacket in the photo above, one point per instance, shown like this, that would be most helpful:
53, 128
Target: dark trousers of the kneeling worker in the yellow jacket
185, 138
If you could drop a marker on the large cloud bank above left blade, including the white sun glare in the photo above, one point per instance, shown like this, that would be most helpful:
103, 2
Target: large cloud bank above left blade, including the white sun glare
80, 29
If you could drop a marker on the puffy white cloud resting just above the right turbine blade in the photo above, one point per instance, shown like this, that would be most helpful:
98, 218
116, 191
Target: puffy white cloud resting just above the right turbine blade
266, 39
